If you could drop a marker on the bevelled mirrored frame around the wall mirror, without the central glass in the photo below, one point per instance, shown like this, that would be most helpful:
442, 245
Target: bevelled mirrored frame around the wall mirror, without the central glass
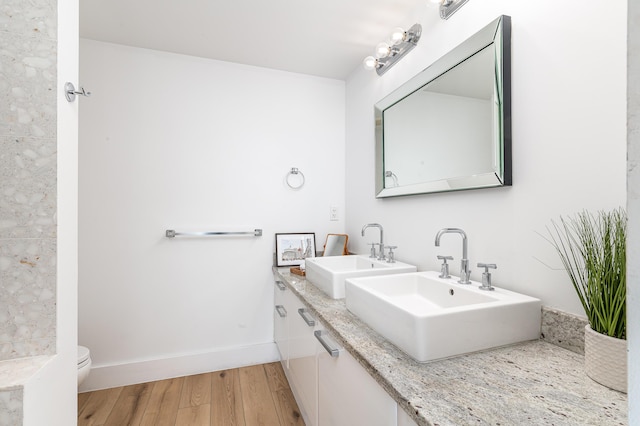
497, 33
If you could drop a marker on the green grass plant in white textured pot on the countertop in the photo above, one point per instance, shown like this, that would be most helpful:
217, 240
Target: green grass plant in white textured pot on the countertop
592, 248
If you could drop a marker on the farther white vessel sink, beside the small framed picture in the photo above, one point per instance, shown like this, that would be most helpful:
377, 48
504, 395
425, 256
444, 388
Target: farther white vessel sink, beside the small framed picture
328, 273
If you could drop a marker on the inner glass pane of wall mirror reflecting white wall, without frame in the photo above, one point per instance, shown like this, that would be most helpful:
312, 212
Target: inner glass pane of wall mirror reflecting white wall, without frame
425, 116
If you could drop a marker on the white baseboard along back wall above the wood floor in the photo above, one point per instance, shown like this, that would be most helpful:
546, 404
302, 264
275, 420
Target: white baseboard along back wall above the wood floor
111, 376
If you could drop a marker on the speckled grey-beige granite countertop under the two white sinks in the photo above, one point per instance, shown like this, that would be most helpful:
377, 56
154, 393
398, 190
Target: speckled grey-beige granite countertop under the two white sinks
528, 383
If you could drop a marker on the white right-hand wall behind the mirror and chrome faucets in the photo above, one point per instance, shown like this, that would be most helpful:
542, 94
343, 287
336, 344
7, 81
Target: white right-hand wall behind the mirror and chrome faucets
568, 105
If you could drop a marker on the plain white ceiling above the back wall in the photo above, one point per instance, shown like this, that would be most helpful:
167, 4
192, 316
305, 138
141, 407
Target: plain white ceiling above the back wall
327, 38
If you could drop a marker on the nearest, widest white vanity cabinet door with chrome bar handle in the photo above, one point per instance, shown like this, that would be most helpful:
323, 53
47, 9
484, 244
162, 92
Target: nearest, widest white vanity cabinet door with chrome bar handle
347, 394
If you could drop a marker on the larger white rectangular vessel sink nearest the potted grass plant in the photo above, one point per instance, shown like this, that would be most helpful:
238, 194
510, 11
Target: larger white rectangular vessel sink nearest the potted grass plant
431, 318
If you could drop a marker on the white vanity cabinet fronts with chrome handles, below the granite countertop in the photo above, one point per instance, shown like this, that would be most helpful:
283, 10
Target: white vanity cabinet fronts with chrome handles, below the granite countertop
330, 386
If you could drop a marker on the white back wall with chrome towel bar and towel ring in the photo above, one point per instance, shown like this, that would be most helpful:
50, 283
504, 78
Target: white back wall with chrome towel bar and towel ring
177, 142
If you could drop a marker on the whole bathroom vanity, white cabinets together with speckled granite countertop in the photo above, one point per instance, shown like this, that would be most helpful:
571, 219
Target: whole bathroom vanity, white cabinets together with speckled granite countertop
372, 382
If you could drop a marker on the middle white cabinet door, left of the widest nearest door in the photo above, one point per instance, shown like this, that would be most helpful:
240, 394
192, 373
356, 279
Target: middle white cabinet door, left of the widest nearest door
302, 360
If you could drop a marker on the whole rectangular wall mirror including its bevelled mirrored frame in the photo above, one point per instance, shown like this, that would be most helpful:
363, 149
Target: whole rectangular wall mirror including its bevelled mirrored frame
449, 127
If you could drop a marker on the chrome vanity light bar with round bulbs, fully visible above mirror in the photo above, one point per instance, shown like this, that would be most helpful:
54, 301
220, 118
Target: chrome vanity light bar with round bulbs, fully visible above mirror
389, 52
